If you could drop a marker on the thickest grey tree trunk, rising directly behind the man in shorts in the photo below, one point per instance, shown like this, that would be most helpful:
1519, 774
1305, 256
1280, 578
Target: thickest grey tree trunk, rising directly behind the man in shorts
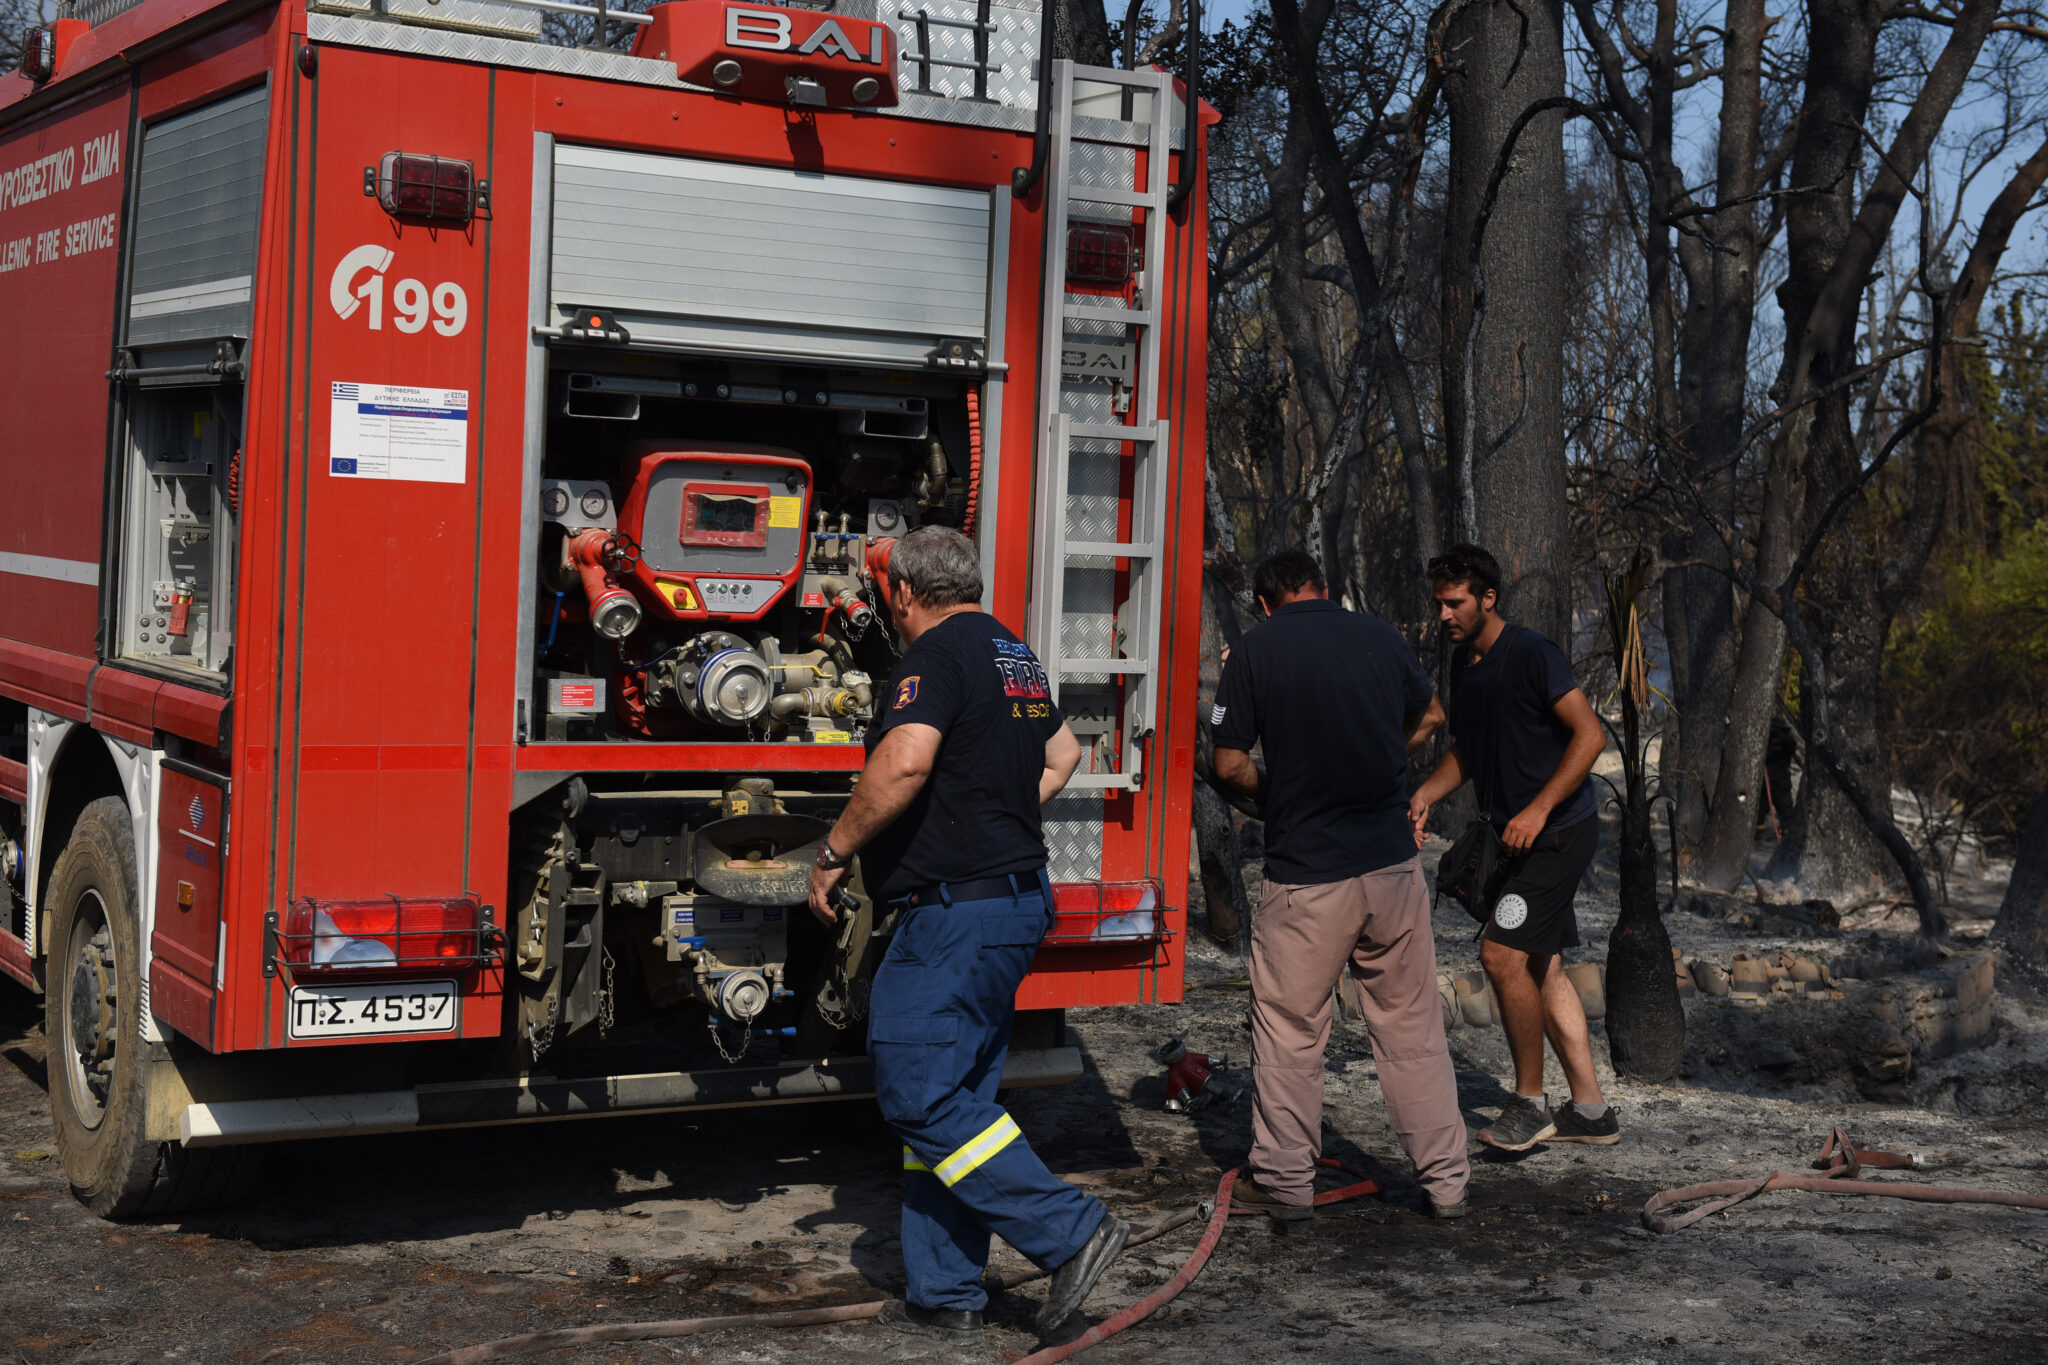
1504, 390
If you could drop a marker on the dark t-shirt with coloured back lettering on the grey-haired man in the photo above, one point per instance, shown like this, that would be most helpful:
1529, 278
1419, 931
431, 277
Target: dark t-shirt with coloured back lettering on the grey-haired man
978, 813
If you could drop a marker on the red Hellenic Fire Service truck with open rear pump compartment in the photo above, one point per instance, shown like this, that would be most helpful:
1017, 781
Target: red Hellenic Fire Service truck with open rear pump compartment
454, 459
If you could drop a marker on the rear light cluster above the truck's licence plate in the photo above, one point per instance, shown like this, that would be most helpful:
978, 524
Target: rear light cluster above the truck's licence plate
390, 934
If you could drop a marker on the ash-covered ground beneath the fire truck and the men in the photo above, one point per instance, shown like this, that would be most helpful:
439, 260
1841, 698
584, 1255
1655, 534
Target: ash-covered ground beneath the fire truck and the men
392, 1249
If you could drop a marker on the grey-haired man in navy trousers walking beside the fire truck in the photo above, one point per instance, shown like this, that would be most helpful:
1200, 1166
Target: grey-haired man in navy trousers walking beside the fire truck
947, 822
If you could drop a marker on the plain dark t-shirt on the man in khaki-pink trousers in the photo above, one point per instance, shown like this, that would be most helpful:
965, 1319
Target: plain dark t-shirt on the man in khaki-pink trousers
1330, 697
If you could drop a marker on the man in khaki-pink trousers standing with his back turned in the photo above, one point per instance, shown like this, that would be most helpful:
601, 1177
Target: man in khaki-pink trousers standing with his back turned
1338, 703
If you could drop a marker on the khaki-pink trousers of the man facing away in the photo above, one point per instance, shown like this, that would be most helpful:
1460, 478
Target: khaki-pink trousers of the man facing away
1304, 938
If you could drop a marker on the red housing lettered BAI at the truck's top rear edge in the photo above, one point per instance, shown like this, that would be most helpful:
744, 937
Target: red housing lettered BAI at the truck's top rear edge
765, 52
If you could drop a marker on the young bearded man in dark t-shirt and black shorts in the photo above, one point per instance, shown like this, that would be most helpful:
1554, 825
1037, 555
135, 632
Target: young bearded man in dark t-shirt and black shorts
1527, 742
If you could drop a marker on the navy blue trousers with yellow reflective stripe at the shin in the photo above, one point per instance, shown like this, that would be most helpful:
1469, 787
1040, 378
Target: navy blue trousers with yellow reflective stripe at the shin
939, 1032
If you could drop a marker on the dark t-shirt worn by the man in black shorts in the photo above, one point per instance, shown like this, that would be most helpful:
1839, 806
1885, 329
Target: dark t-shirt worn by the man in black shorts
1510, 738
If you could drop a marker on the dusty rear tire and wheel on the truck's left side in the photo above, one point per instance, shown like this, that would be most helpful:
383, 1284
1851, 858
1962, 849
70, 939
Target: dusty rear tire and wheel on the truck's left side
99, 1063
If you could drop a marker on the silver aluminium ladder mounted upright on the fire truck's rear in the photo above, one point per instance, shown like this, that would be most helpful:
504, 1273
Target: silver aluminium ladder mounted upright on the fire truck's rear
1082, 633
